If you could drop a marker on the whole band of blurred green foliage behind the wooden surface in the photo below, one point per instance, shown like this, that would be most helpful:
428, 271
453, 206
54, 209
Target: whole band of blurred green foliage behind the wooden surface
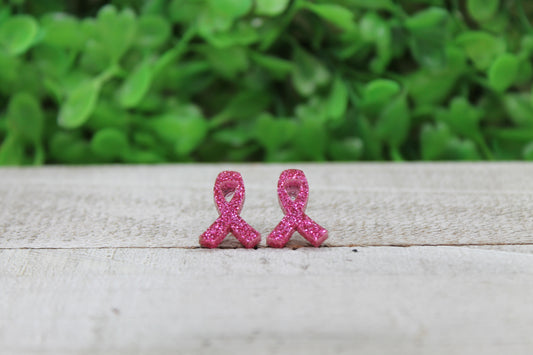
131, 81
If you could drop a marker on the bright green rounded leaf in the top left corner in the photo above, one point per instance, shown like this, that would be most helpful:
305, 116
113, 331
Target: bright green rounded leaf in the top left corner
17, 34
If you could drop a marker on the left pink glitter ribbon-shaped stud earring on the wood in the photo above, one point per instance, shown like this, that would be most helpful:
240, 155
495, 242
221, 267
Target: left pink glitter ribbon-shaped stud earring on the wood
226, 184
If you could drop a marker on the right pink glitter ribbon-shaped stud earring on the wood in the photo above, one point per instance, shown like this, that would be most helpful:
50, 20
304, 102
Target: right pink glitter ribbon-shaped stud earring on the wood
293, 192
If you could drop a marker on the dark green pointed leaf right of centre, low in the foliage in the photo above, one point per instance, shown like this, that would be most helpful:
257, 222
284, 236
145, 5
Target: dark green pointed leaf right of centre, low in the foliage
394, 122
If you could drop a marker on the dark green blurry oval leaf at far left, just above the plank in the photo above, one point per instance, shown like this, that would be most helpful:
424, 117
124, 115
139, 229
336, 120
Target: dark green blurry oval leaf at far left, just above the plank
25, 117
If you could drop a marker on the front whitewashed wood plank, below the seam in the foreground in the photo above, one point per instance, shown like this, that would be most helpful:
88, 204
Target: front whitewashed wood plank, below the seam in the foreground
378, 300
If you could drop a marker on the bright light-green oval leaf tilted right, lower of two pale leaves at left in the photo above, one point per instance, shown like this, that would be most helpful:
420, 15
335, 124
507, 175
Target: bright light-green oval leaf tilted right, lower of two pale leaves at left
79, 105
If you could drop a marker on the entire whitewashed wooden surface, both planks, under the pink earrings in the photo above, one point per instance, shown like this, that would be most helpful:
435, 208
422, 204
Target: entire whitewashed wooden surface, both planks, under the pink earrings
104, 260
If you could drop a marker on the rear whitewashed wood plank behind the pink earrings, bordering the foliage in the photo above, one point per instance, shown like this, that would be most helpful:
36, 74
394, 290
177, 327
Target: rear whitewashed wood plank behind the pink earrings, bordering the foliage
361, 204
